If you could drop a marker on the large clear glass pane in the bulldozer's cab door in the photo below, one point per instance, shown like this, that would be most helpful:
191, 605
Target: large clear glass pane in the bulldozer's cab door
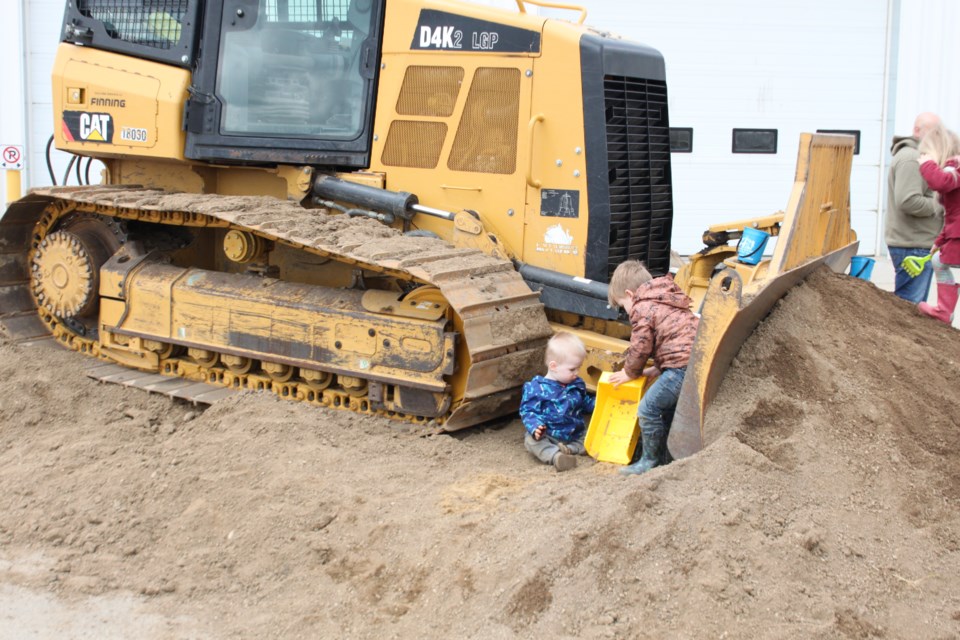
292, 68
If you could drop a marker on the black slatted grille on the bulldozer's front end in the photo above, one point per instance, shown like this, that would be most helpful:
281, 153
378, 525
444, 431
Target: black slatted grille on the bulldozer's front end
638, 160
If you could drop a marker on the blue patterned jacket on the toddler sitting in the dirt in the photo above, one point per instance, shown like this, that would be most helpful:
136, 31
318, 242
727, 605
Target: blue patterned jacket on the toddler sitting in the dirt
558, 406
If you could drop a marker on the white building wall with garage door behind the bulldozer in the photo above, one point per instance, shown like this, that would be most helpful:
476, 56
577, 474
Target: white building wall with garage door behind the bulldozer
794, 65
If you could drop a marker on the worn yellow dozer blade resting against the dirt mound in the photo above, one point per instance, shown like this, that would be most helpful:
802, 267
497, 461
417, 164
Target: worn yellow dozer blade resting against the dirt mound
815, 231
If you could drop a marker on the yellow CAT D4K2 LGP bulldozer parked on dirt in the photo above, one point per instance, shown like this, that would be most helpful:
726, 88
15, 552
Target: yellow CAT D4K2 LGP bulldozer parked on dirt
386, 206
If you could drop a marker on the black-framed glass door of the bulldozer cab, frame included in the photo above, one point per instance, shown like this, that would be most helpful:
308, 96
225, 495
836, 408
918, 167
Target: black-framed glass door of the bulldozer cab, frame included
289, 79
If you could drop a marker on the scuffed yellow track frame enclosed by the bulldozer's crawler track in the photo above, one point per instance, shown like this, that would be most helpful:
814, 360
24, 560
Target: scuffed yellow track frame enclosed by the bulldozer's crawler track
286, 324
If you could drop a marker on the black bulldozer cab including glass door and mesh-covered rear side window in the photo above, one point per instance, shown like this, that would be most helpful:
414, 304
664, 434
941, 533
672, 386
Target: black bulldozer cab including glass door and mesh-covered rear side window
273, 81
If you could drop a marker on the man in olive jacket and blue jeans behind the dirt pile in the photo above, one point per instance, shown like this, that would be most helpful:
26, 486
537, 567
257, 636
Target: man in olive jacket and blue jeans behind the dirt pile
914, 217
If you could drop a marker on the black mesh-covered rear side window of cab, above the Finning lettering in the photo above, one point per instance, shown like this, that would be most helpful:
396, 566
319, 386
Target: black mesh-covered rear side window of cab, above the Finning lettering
151, 23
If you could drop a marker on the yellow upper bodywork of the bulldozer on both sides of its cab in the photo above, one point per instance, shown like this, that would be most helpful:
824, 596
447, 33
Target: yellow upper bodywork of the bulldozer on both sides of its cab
472, 119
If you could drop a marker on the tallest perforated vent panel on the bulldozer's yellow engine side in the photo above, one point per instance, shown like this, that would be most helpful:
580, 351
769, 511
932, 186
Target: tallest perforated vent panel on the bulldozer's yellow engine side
486, 139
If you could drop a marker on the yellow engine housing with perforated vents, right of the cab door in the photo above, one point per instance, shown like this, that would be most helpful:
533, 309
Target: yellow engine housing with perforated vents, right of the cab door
490, 141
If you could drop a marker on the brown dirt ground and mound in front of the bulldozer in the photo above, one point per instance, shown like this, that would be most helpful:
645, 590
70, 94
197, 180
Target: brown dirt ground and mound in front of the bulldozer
829, 511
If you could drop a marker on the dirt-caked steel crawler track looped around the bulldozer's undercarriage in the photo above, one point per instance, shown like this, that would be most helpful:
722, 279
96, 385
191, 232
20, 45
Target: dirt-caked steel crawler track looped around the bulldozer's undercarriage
503, 322
